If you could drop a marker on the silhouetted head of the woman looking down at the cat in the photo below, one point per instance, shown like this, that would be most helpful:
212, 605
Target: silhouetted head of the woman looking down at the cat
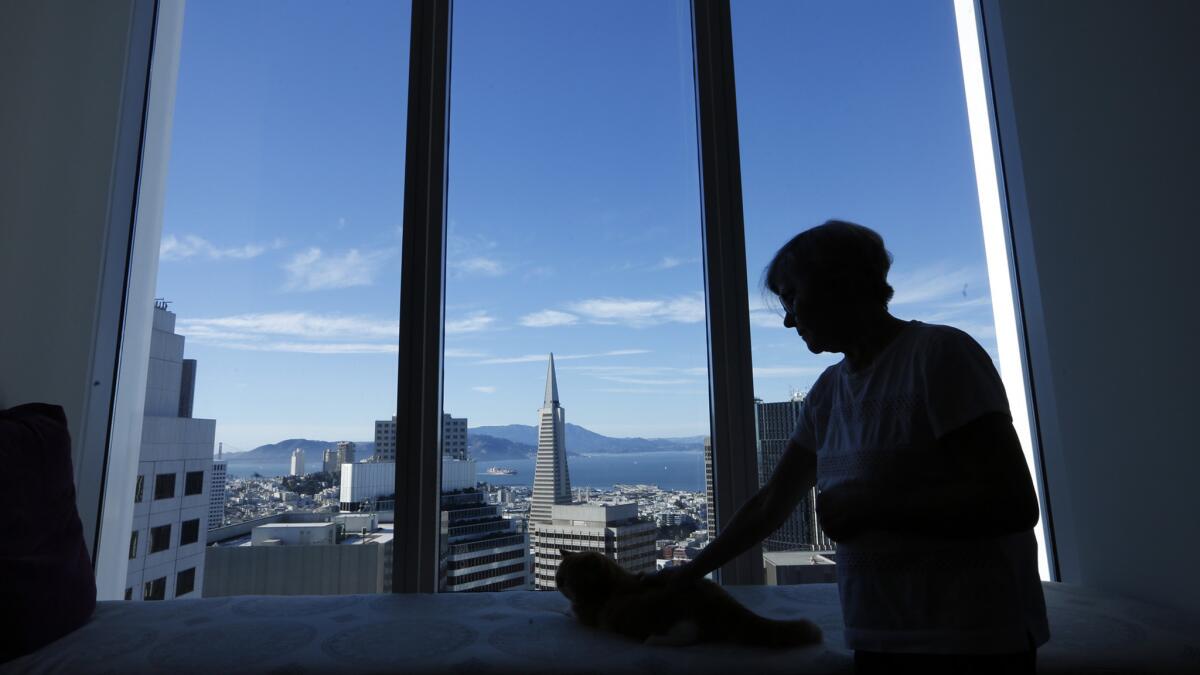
827, 279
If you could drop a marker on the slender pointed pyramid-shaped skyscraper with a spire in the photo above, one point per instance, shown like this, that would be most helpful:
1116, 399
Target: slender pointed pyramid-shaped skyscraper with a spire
551, 482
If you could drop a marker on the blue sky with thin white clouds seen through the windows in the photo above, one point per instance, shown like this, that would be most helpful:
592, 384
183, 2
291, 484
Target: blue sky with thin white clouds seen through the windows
574, 207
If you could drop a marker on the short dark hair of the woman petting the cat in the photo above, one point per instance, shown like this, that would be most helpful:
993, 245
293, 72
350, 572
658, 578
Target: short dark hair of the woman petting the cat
841, 259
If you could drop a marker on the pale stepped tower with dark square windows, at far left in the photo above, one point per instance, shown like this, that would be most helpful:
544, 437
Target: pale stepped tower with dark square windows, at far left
171, 504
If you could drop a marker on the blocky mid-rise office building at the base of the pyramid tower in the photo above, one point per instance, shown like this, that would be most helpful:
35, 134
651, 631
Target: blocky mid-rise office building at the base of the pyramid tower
615, 531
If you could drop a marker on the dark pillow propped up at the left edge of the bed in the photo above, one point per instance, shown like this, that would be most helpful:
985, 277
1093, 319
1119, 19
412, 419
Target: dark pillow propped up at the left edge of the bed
46, 577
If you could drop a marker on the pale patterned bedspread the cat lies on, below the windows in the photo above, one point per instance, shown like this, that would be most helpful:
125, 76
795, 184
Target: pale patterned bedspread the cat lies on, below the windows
532, 632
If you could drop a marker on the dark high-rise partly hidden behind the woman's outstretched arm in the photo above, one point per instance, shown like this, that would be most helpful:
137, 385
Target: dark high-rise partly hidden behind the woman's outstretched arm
775, 425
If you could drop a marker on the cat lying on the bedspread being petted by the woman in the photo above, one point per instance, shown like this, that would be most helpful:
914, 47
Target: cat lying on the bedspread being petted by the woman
608, 598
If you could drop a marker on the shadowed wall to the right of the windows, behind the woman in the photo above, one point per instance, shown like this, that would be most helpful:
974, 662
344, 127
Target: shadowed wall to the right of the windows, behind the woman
1097, 114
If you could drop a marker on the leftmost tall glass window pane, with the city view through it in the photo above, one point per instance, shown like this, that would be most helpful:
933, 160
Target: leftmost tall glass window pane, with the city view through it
274, 341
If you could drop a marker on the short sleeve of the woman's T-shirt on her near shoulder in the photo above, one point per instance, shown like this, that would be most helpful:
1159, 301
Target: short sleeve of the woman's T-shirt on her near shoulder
962, 384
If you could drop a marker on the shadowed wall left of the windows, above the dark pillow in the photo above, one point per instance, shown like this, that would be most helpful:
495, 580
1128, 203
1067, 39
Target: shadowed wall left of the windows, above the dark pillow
71, 103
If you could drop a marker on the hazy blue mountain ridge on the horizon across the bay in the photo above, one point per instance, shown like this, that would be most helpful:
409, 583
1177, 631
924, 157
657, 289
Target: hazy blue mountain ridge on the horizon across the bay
488, 444
